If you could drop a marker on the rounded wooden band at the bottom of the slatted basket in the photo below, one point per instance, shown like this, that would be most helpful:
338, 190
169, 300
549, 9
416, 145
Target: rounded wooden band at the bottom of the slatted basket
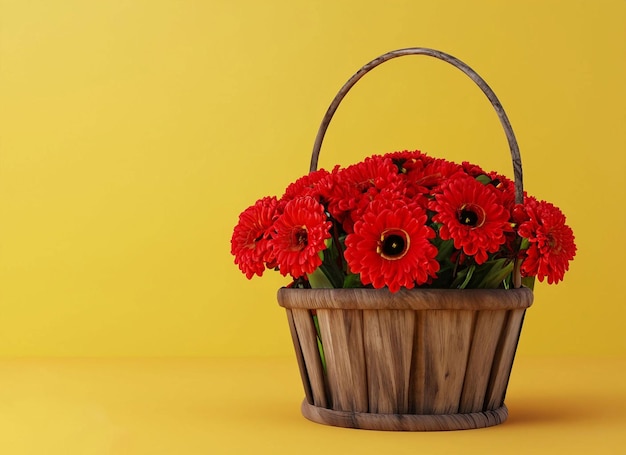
404, 422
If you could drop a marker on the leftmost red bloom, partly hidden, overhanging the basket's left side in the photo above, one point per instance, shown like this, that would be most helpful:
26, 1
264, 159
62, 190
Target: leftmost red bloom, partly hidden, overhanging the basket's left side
249, 243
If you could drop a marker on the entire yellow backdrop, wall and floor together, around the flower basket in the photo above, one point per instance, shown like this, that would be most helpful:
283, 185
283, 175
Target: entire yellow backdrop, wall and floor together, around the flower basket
134, 132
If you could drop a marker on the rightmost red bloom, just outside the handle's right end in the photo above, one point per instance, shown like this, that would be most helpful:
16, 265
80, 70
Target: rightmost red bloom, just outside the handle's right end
551, 241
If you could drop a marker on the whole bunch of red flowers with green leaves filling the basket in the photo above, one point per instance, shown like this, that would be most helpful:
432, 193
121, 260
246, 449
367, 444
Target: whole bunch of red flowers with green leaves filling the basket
404, 220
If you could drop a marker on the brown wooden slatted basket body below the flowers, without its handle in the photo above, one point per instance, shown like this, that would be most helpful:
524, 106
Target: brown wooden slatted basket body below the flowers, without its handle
415, 360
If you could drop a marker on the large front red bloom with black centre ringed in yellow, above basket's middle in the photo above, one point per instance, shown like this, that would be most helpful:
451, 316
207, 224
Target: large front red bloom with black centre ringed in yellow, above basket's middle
390, 246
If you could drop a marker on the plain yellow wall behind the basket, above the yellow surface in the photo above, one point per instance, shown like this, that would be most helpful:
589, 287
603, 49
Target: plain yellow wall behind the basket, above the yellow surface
133, 133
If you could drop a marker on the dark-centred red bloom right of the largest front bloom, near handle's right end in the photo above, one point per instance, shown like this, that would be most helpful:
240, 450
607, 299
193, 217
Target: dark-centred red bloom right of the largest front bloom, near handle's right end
472, 214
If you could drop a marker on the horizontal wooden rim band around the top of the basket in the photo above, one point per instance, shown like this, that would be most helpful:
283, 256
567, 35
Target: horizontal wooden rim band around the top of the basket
405, 299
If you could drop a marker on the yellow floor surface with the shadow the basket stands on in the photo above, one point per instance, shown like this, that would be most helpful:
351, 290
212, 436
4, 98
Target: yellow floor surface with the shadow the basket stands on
251, 406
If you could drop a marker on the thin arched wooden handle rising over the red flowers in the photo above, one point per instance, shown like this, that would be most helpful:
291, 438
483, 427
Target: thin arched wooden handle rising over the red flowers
515, 155
